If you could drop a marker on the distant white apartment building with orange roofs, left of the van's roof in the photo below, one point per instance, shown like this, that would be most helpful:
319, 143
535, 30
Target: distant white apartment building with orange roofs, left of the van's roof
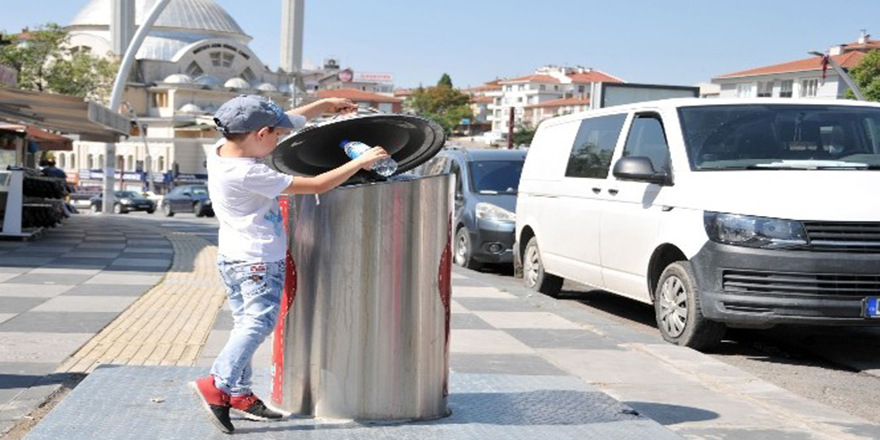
549, 83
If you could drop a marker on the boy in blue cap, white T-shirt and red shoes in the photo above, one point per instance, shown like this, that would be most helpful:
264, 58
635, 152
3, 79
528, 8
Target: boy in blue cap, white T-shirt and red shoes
252, 243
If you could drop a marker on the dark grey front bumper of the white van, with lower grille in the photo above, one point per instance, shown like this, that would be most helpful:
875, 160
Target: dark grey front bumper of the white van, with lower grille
762, 288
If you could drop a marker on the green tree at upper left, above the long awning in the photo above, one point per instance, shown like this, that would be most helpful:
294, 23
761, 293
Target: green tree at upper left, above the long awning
46, 63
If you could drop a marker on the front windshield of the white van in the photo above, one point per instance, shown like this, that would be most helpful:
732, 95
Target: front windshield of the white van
780, 136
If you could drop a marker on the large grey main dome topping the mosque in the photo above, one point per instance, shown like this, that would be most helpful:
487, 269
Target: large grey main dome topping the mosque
181, 23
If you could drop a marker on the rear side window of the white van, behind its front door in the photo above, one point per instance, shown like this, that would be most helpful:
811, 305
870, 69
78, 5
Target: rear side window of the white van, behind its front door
593, 147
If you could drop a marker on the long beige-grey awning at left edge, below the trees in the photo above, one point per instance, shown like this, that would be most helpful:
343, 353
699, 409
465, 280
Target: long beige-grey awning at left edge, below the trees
65, 114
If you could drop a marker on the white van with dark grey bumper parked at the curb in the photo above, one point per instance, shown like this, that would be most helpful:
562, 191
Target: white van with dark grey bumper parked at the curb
746, 212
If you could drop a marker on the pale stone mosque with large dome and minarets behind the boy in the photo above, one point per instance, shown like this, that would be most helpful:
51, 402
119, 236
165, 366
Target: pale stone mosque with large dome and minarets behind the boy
195, 58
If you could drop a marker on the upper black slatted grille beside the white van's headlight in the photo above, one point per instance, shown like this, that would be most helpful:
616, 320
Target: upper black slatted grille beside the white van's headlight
844, 236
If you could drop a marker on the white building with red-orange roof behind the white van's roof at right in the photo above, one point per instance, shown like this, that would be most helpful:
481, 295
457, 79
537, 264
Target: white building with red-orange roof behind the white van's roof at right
801, 78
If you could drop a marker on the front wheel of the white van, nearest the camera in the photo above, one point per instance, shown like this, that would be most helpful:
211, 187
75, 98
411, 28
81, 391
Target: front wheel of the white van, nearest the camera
677, 308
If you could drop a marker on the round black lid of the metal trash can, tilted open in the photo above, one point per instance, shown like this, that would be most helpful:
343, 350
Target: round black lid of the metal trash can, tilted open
410, 140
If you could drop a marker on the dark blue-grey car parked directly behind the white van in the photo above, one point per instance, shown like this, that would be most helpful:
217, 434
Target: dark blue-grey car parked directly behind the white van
485, 202
